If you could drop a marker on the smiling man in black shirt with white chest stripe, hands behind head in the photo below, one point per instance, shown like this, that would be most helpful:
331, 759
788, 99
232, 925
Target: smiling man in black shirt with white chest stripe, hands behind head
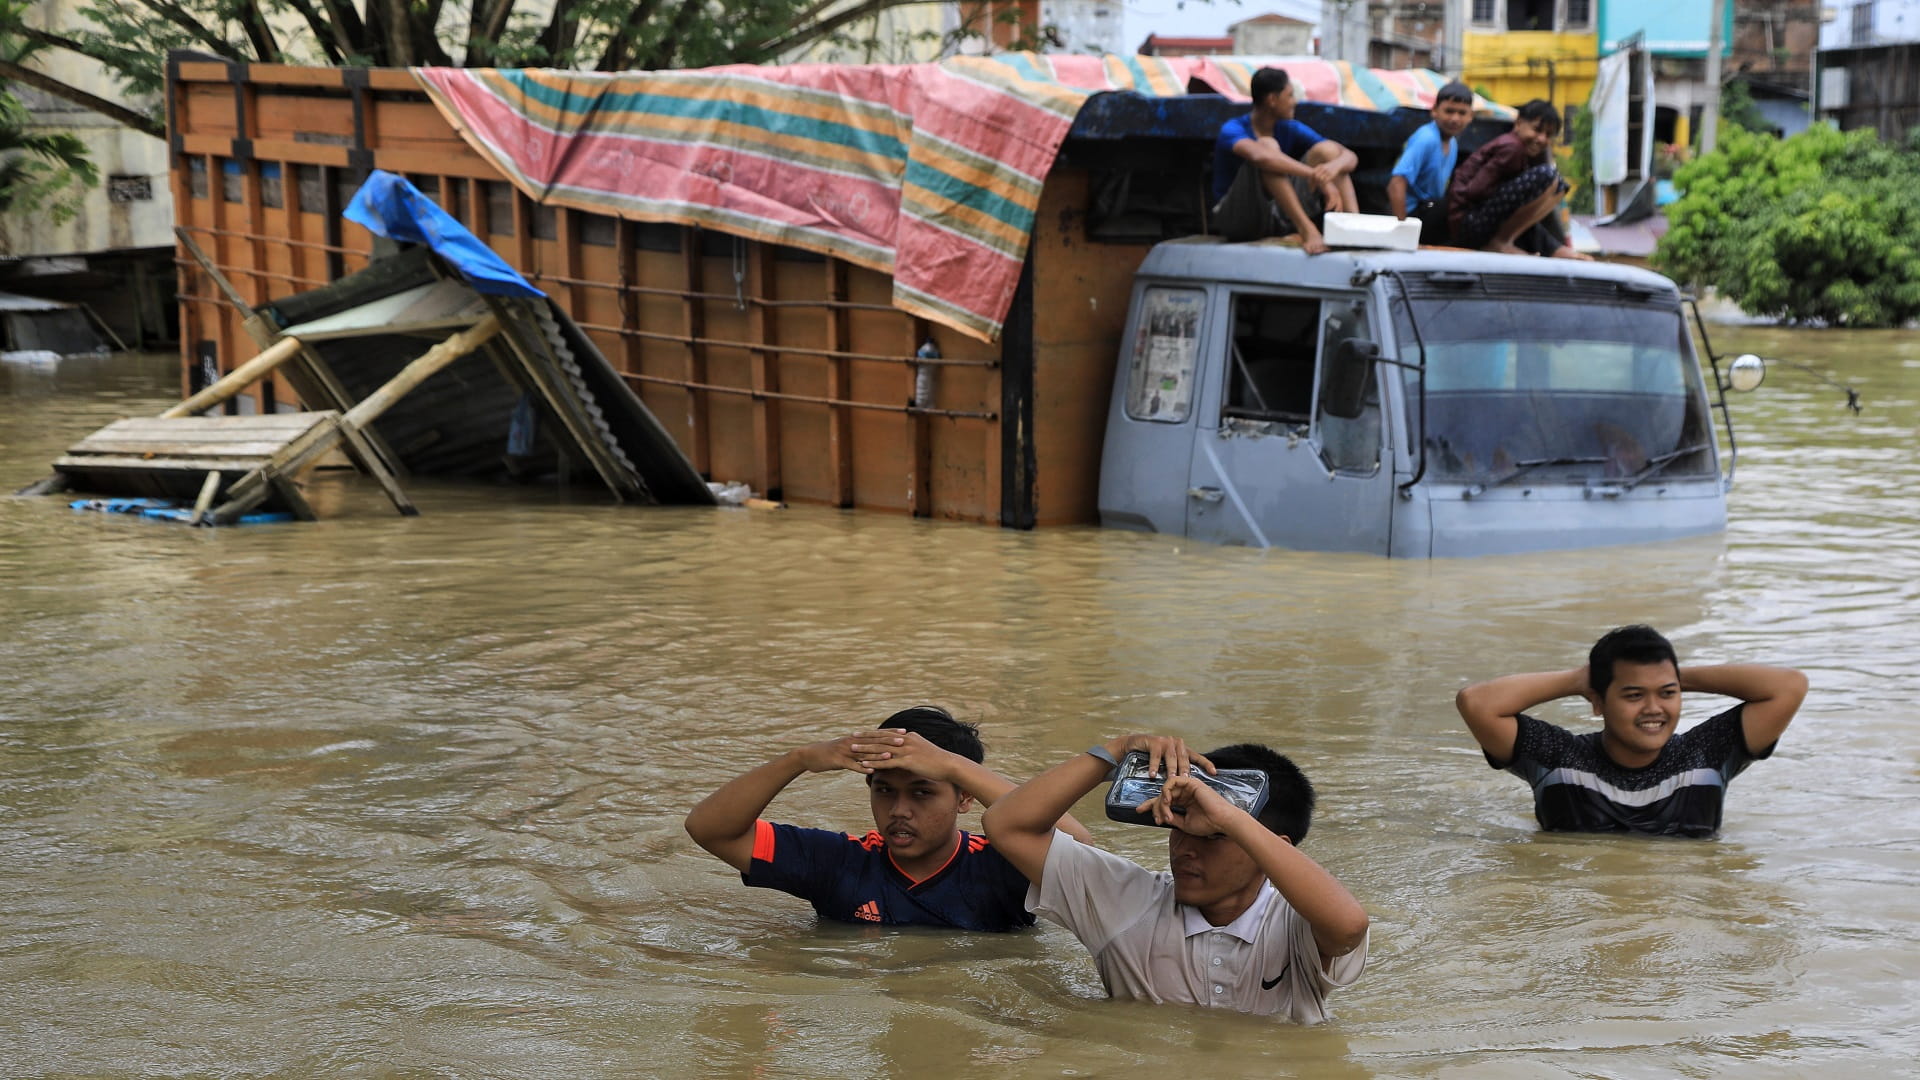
1635, 775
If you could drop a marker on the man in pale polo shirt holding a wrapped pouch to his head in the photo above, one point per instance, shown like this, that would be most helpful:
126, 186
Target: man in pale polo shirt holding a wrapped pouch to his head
1243, 920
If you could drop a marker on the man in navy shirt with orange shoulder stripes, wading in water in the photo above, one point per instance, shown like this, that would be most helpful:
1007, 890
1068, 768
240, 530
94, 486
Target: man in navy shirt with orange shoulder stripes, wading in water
917, 868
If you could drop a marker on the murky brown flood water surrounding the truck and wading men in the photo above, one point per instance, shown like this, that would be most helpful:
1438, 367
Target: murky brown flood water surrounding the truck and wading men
393, 797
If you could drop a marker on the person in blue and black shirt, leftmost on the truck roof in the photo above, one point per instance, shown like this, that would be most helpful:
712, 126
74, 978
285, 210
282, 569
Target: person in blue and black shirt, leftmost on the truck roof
1268, 168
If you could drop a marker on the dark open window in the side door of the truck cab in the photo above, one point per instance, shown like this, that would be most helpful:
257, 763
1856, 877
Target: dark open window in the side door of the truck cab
1270, 360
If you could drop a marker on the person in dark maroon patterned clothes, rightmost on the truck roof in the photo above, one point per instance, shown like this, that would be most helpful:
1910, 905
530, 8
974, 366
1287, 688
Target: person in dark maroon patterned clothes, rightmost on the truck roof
1506, 189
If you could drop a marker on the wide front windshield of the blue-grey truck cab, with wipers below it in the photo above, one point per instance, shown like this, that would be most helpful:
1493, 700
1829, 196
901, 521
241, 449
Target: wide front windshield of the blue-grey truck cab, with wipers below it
1556, 393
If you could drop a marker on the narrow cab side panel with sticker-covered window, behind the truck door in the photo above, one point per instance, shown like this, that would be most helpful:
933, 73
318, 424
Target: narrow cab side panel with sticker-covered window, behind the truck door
1151, 426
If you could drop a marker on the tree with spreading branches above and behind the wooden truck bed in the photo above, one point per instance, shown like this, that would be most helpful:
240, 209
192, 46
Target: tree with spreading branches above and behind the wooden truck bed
133, 37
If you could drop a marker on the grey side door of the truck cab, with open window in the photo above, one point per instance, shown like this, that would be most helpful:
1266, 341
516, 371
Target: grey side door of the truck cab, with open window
1274, 464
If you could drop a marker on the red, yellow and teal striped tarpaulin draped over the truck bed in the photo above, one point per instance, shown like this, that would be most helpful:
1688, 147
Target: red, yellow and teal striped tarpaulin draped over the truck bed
926, 172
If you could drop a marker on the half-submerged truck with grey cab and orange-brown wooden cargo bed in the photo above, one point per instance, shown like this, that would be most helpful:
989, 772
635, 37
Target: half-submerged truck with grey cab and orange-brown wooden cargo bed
1015, 331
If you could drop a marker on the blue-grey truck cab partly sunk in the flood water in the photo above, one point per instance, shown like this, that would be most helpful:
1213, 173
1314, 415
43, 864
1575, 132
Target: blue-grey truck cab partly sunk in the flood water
1408, 405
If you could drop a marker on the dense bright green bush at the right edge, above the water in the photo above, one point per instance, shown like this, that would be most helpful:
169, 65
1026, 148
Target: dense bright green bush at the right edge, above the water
1819, 228
